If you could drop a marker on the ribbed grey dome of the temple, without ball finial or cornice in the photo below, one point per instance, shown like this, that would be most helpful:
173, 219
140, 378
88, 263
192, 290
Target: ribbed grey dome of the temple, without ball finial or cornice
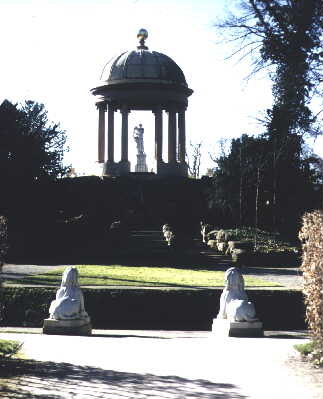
142, 65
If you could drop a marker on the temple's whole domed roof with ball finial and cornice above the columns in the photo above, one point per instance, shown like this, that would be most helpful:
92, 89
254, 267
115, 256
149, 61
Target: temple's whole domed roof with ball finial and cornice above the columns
142, 80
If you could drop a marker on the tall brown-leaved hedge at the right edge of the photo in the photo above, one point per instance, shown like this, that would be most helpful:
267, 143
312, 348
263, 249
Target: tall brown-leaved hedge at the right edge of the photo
311, 235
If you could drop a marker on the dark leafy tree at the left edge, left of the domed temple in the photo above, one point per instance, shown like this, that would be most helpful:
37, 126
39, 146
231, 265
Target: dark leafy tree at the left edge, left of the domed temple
30, 147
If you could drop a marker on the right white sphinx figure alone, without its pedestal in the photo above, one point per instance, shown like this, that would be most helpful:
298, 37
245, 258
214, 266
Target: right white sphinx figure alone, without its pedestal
234, 304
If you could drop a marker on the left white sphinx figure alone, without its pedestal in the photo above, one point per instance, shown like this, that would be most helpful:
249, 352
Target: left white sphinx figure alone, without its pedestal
69, 302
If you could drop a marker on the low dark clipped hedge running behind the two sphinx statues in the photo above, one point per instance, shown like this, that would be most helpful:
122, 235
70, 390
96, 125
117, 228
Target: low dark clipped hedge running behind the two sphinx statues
152, 308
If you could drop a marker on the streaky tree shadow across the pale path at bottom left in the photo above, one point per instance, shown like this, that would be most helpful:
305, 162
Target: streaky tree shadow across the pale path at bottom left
49, 380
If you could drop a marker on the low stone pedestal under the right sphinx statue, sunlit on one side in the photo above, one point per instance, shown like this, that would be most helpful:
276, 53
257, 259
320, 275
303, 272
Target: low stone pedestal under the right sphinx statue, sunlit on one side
227, 328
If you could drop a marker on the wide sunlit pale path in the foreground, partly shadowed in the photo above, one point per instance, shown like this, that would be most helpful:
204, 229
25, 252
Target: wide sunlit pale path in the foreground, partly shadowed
159, 364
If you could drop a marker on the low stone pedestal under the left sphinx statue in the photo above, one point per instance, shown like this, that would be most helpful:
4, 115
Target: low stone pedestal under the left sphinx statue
67, 327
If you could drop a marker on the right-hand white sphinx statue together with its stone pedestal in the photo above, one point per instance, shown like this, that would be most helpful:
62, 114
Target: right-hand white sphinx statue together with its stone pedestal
237, 315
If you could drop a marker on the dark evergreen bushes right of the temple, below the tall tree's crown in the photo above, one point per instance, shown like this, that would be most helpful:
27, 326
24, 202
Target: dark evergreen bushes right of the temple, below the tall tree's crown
242, 191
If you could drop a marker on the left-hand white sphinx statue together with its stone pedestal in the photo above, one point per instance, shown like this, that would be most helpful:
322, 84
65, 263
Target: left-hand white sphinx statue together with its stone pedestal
67, 312
